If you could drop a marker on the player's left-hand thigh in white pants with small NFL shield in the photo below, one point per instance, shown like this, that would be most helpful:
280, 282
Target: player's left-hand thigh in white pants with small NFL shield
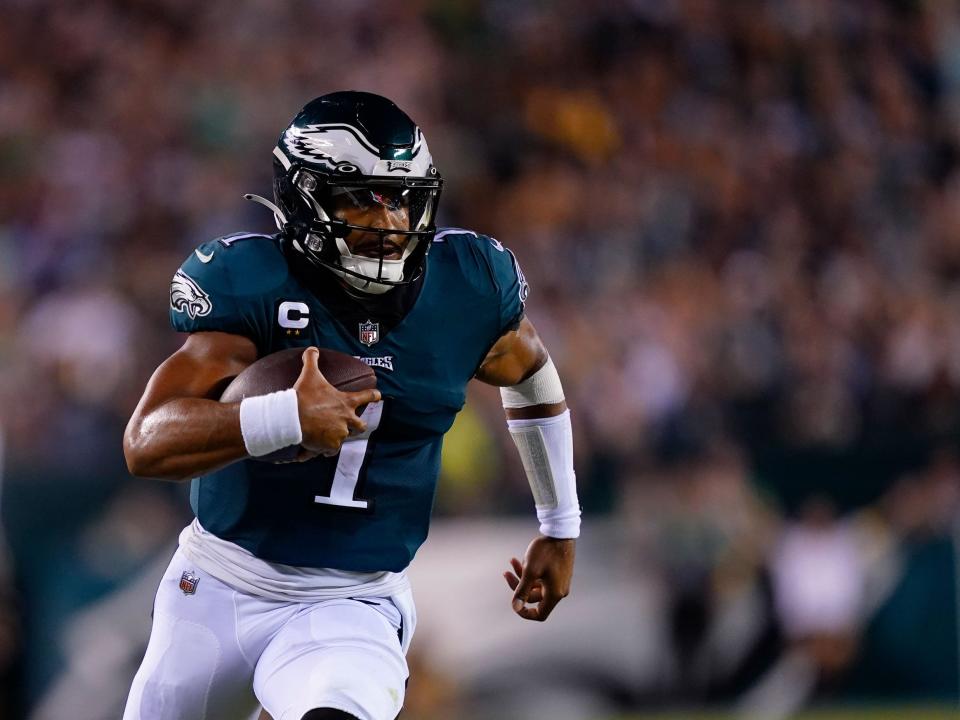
194, 666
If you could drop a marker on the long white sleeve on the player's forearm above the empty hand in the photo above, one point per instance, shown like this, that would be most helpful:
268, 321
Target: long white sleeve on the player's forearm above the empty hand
546, 449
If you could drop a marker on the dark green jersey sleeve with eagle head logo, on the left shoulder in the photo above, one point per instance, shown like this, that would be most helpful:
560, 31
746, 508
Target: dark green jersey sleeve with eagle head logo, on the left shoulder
207, 293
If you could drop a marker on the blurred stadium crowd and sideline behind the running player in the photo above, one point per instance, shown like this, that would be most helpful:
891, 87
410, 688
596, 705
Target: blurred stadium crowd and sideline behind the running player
741, 225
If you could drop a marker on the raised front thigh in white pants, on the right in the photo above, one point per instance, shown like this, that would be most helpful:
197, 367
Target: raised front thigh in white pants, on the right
340, 654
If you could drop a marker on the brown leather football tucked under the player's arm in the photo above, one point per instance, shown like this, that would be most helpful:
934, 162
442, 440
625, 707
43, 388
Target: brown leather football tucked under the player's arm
280, 370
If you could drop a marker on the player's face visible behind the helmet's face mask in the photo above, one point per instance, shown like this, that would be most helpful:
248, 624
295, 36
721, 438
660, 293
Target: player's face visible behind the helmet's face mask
381, 208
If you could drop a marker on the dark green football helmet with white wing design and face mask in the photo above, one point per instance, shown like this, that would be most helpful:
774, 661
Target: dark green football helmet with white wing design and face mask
356, 150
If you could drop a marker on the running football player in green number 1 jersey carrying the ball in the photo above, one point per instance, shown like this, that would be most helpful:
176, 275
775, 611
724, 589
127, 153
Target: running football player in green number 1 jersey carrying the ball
289, 588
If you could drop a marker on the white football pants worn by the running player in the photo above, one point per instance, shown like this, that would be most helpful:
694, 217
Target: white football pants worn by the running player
219, 653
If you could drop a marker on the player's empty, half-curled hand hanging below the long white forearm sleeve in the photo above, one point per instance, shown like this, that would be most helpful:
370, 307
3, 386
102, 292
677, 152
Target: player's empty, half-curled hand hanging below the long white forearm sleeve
543, 578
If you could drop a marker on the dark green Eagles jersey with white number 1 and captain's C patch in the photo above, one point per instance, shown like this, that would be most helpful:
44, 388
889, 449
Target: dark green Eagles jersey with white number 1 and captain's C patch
367, 509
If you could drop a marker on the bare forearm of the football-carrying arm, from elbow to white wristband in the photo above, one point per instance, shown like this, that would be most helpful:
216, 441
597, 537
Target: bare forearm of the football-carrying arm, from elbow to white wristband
184, 438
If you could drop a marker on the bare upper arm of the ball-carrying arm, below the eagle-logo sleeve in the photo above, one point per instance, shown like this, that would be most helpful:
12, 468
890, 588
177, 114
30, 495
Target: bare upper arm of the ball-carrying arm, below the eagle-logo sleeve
201, 368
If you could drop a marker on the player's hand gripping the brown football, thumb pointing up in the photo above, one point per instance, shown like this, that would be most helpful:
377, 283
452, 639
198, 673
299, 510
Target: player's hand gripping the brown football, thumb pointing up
327, 416
